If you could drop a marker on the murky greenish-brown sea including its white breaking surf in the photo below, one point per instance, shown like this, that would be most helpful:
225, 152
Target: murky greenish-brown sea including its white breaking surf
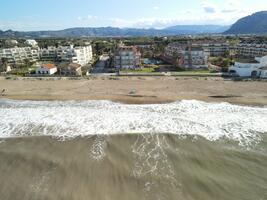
101, 150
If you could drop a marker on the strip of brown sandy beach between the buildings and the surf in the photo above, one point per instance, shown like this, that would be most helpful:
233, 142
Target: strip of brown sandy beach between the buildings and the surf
137, 90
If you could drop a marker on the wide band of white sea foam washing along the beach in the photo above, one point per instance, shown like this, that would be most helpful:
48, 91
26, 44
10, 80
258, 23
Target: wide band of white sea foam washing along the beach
72, 119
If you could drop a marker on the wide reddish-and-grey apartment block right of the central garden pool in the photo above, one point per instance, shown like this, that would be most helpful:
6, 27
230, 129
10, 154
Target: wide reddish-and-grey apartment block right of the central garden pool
186, 56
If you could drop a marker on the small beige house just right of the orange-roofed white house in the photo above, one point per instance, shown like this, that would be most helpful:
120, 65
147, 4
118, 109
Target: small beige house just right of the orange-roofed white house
71, 69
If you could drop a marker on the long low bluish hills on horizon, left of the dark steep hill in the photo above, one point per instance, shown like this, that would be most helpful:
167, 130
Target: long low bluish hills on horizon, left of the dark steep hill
117, 32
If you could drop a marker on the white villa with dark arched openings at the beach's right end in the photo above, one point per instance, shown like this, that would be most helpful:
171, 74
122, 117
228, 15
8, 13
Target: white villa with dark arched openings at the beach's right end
256, 68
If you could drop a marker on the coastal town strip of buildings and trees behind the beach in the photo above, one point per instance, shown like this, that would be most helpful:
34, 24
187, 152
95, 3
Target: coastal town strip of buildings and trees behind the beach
231, 56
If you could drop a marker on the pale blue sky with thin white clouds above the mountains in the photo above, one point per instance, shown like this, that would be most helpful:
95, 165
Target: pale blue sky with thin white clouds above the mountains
59, 14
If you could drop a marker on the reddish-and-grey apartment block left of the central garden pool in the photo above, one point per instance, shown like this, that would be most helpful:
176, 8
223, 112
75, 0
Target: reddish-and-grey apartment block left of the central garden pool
127, 57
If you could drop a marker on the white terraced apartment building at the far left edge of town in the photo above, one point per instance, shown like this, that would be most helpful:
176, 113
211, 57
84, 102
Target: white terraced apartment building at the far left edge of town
18, 55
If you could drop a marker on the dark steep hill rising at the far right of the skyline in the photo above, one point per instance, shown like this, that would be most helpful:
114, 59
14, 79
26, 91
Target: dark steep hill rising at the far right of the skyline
252, 24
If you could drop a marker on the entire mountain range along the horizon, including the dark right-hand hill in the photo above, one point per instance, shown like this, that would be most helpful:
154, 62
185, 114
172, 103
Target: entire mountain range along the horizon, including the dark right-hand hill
252, 24
